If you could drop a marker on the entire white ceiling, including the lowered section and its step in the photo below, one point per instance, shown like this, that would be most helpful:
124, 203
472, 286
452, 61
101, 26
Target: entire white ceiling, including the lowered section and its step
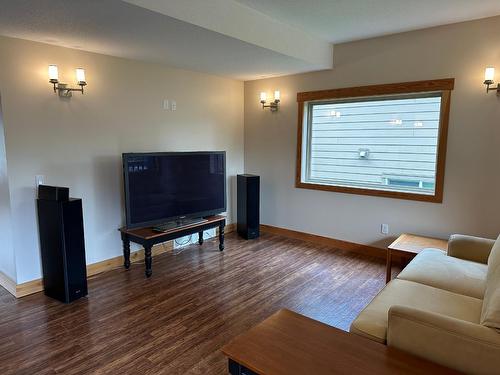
241, 39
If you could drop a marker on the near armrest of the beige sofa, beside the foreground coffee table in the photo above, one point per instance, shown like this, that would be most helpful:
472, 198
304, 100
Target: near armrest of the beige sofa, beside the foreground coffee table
458, 344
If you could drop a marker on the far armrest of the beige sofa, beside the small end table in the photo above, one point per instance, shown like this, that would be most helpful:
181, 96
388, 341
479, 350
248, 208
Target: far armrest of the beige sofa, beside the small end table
476, 249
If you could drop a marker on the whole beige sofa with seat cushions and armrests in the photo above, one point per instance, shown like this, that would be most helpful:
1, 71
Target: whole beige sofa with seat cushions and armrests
444, 306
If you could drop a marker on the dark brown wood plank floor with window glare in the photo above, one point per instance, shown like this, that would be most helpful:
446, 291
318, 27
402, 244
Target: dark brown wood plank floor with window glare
195, 302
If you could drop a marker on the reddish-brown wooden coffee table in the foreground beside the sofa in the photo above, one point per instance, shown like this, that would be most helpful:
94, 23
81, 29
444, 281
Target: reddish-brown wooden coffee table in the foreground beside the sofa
289, 343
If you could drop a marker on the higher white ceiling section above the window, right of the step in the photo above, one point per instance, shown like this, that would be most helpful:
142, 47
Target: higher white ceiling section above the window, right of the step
338, 21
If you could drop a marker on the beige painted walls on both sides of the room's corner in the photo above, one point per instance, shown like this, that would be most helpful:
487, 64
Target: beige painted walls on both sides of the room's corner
78, 142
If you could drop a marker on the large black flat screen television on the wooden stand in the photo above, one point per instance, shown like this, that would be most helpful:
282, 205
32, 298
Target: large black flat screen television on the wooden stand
168, 186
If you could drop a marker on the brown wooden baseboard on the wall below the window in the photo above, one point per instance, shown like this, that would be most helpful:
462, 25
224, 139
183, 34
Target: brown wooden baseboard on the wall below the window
326, 241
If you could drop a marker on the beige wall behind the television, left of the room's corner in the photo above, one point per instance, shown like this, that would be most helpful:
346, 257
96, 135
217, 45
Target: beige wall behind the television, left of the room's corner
78, 142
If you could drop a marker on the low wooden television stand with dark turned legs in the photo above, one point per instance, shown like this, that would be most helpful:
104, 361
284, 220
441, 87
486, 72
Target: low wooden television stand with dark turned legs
147, 237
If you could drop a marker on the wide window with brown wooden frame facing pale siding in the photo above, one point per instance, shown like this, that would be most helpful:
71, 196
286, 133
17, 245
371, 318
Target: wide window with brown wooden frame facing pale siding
386, 140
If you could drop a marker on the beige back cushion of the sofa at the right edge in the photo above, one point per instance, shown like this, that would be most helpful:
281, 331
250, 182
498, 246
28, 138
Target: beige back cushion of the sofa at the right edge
490, 314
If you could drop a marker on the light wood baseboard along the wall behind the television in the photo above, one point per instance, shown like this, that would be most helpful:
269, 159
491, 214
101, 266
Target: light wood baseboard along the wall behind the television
35, 286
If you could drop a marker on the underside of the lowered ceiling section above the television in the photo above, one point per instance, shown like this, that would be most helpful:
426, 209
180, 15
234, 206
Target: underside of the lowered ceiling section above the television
117, 28
